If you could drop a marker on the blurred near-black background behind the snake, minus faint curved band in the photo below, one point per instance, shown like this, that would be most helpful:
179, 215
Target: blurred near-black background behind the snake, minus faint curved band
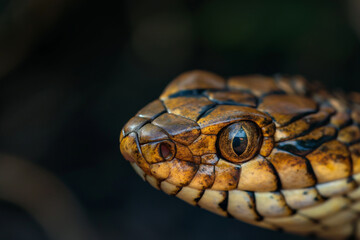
73, 72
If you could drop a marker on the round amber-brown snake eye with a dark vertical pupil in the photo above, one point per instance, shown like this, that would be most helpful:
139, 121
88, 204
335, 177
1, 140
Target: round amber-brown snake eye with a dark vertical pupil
239, 141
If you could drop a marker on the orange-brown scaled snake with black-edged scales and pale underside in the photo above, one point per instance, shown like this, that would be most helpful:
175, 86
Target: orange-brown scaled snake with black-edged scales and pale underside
278, 152
